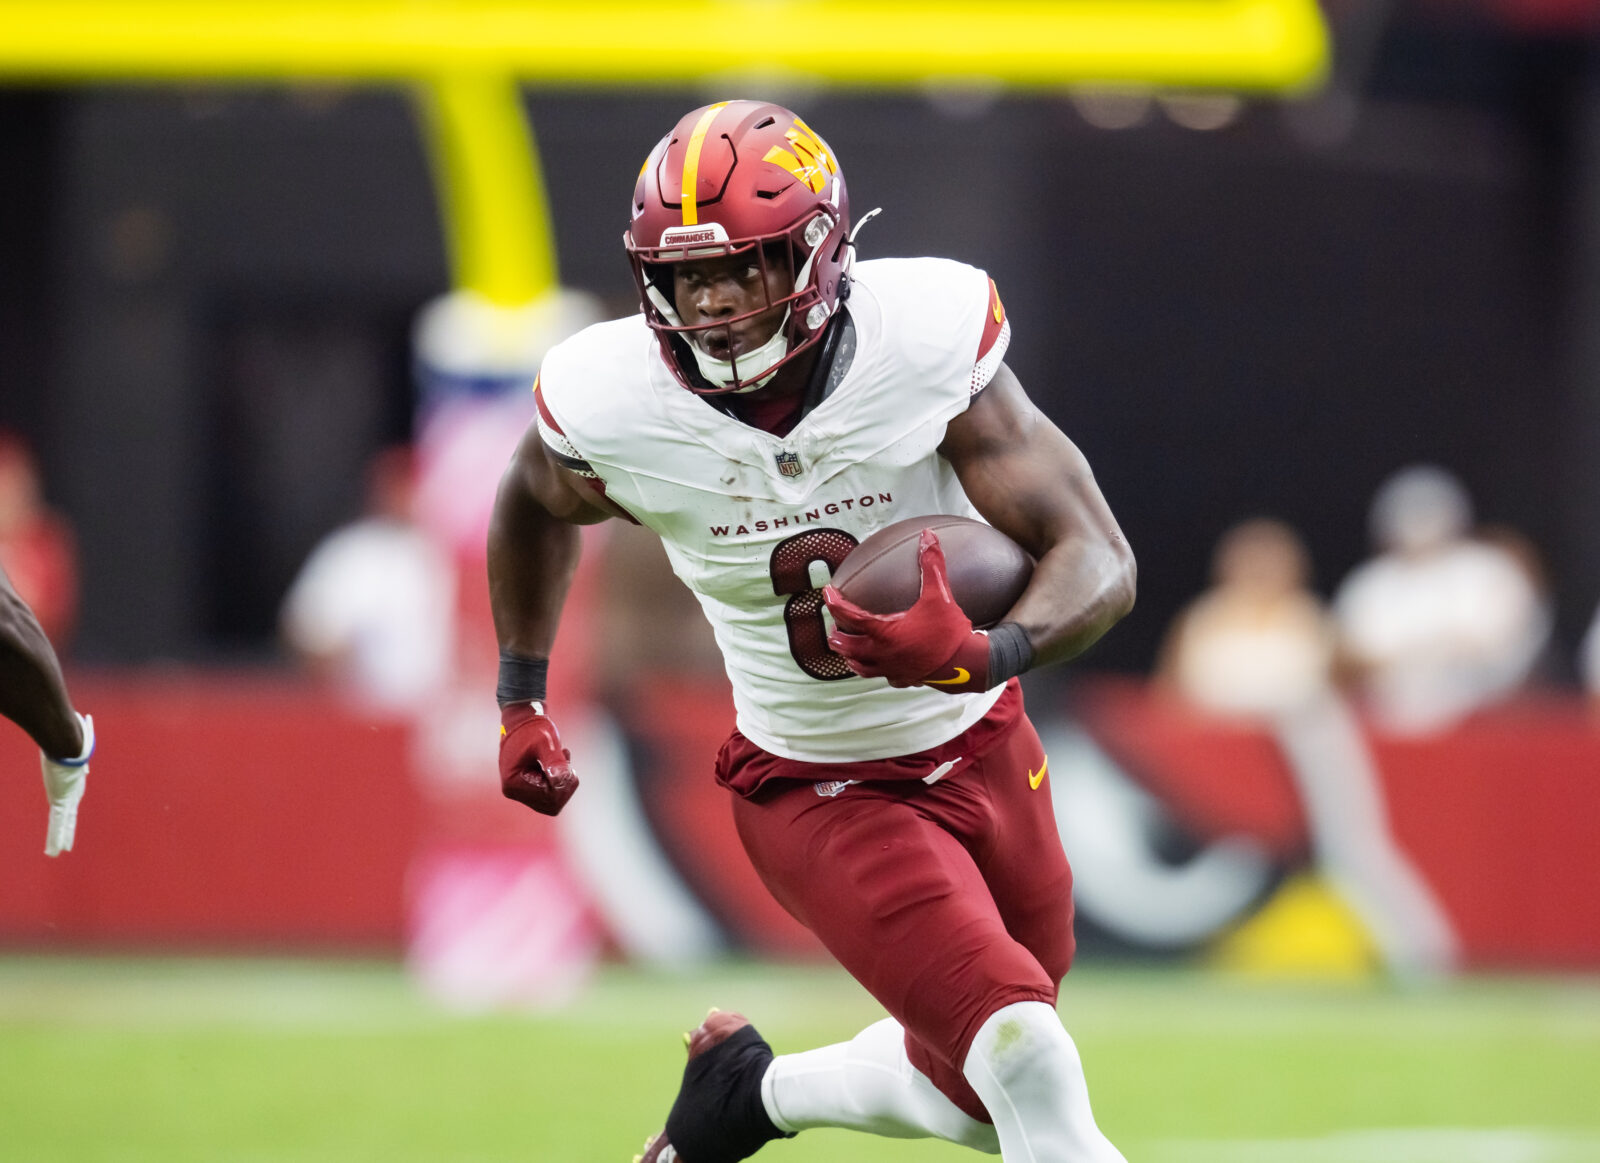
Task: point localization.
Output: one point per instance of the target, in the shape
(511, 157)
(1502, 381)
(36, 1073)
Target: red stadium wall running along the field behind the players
(230, 812)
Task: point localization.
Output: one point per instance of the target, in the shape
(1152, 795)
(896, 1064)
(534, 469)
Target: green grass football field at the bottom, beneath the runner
(263, 1060)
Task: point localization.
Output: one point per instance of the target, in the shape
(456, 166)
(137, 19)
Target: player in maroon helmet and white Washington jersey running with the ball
(774, 404)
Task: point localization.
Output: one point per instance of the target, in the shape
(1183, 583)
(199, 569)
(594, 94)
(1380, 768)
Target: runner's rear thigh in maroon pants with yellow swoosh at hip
(1025, 868)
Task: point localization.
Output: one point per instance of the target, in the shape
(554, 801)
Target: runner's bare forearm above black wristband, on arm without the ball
(530, 566)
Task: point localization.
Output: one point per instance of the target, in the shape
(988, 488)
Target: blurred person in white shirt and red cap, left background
(374, 607)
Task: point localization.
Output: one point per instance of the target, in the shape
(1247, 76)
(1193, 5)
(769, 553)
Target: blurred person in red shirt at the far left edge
(36, 545)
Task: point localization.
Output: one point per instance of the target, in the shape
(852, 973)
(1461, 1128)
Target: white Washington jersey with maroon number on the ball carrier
(754, 524)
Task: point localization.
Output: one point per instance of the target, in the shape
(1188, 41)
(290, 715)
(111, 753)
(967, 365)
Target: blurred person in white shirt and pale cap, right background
(1439, 623)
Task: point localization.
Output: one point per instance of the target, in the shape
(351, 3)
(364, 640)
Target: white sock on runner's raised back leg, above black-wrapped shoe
(868, 1085)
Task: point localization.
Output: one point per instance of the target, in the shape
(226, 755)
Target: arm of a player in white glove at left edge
(34, 697)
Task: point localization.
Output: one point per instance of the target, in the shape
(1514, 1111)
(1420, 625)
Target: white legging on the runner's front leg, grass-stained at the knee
(1028, 1073)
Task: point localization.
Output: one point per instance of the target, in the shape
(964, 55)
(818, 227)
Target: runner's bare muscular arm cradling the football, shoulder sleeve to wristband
(1033, 484)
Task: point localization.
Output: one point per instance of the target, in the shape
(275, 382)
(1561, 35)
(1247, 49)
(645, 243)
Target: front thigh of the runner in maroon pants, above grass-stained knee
(900, 903)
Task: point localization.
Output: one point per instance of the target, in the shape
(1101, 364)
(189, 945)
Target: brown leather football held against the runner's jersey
(988, 570)
